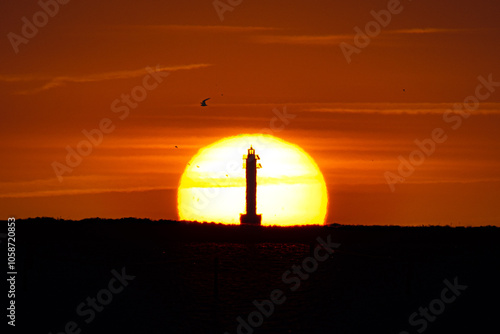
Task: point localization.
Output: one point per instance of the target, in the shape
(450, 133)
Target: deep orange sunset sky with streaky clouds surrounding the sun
(353, 115)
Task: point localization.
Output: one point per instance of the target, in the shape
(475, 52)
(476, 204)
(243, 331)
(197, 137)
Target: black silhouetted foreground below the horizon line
(138, 276)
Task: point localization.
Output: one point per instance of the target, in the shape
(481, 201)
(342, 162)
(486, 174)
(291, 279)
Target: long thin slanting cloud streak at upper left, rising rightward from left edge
(53, 82)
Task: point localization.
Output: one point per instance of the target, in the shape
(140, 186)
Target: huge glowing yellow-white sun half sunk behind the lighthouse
(291, 189)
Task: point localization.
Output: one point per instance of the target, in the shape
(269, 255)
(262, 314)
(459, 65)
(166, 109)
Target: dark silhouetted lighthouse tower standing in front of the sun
(251, 165)
